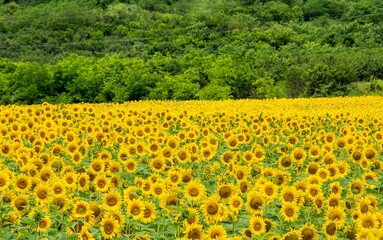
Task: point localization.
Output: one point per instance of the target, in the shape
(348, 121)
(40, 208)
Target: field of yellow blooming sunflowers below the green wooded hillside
(237, 169)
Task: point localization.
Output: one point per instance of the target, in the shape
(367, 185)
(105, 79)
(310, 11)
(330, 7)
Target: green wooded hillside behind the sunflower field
(68, 51)
